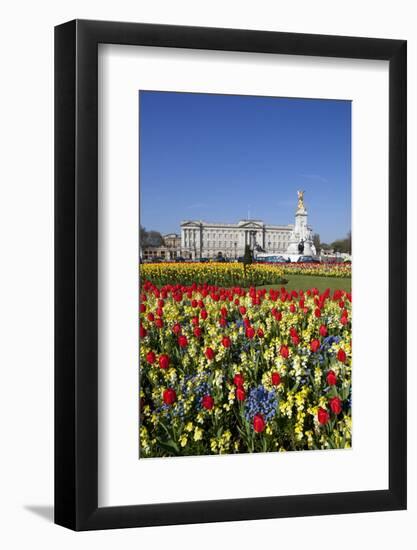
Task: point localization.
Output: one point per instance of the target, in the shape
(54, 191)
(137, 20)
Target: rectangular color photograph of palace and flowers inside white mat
(245, 274)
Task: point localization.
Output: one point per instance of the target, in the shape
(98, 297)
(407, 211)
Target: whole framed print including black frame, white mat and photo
(230, 234)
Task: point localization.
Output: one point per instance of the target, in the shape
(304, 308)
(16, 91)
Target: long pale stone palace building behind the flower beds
(202, 239)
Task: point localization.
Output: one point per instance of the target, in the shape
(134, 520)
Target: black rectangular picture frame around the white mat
(76, 272)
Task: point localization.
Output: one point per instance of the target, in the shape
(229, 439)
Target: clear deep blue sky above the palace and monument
(216, 157)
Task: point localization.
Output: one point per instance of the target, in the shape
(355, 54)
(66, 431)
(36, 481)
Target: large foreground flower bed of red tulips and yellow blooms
(225, 370)
